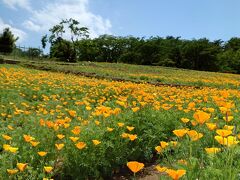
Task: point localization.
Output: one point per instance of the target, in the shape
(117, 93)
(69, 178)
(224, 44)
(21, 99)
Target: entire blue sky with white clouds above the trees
(214, 19)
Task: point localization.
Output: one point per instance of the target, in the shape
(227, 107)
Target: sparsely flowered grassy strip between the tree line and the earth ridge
(139, 73)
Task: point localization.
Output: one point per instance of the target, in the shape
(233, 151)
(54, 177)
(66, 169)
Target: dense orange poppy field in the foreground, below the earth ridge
(58, 126)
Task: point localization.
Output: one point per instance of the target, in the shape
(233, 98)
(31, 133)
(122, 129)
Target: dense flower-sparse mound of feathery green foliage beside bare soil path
(114, 151)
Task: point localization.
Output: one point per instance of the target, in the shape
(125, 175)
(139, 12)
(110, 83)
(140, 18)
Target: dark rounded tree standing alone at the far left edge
(7, 41)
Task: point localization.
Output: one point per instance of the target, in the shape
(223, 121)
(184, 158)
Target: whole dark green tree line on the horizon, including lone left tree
(71, 43)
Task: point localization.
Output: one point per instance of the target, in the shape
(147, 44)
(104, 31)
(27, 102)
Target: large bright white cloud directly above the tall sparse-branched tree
(55, 11)
